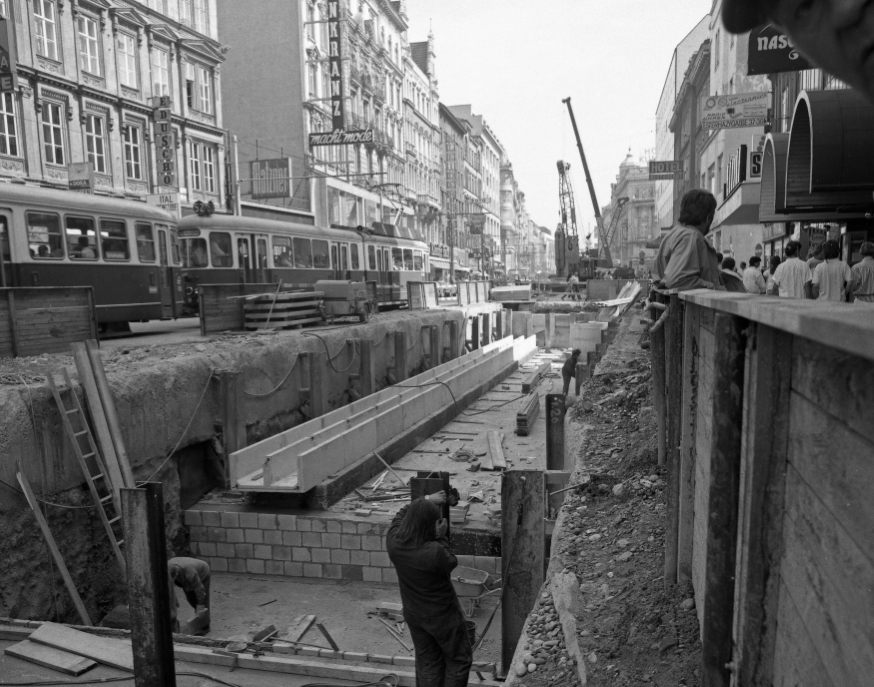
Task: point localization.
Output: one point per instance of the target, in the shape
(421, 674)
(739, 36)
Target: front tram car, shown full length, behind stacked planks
(220, 249)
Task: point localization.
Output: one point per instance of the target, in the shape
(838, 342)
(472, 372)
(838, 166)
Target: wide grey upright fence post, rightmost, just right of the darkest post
(760, 517)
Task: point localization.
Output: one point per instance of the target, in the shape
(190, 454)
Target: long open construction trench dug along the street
(278, 556)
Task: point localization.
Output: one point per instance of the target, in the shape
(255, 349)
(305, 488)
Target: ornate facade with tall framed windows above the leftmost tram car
(87, 75)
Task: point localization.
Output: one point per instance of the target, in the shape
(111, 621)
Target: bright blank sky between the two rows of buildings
(515, 60)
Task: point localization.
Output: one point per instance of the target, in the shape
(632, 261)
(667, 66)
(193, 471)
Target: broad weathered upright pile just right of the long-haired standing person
(523, 540)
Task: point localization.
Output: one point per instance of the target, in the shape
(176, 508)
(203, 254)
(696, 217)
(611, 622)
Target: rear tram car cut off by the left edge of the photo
(127, 251)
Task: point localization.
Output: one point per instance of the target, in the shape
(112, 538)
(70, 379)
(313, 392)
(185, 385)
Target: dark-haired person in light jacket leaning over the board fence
(685, 259)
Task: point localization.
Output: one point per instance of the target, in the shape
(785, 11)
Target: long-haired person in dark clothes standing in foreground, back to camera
(420, 552)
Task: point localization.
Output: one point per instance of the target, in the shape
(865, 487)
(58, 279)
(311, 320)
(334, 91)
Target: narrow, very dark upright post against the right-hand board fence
(723, 487)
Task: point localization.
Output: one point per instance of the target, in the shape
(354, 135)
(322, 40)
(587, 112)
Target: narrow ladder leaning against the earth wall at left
(105, 494)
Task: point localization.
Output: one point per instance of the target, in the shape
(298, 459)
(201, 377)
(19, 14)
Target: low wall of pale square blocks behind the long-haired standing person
(299, 546)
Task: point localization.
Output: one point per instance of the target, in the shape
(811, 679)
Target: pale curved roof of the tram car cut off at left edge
(84, 202)
